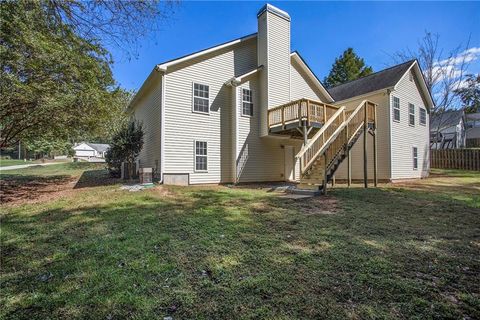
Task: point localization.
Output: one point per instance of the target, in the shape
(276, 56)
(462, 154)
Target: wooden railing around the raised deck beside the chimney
(300, 110)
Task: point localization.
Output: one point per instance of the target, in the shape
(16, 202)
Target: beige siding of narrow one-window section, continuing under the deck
(258, 159)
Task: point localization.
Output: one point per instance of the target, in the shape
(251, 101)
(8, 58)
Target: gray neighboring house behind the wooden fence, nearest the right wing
(447, 130)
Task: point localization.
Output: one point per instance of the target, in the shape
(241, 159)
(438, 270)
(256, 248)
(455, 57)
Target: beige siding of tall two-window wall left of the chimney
(183, 127)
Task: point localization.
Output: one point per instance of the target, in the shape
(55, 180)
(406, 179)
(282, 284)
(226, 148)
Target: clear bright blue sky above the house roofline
(321, 31)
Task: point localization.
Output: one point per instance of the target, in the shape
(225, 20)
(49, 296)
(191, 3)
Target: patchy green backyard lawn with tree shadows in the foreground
(94, 251)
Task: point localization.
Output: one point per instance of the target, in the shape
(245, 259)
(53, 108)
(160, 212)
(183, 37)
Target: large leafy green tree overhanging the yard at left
(55, 71)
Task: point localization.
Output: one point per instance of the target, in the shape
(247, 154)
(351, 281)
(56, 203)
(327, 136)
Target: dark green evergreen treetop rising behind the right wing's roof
(349, 66)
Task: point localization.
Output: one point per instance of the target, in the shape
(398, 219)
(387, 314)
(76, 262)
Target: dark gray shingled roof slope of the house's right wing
(373, 82)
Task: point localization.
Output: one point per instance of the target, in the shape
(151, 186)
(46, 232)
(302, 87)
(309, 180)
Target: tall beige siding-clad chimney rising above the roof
(273, 52)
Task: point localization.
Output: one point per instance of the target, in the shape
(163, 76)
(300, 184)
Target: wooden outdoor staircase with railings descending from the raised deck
(323, 153)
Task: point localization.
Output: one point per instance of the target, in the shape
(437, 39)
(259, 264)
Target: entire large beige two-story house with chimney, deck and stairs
(251, 110)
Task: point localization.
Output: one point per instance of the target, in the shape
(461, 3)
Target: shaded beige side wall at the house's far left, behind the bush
(148, 111)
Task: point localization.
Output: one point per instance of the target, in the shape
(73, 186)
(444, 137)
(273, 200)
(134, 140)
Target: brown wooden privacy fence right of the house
(465, 159)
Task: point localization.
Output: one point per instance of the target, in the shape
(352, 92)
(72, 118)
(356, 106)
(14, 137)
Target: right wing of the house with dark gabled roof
(404, 102)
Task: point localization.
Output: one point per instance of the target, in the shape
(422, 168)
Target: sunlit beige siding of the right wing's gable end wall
(405, 137)
